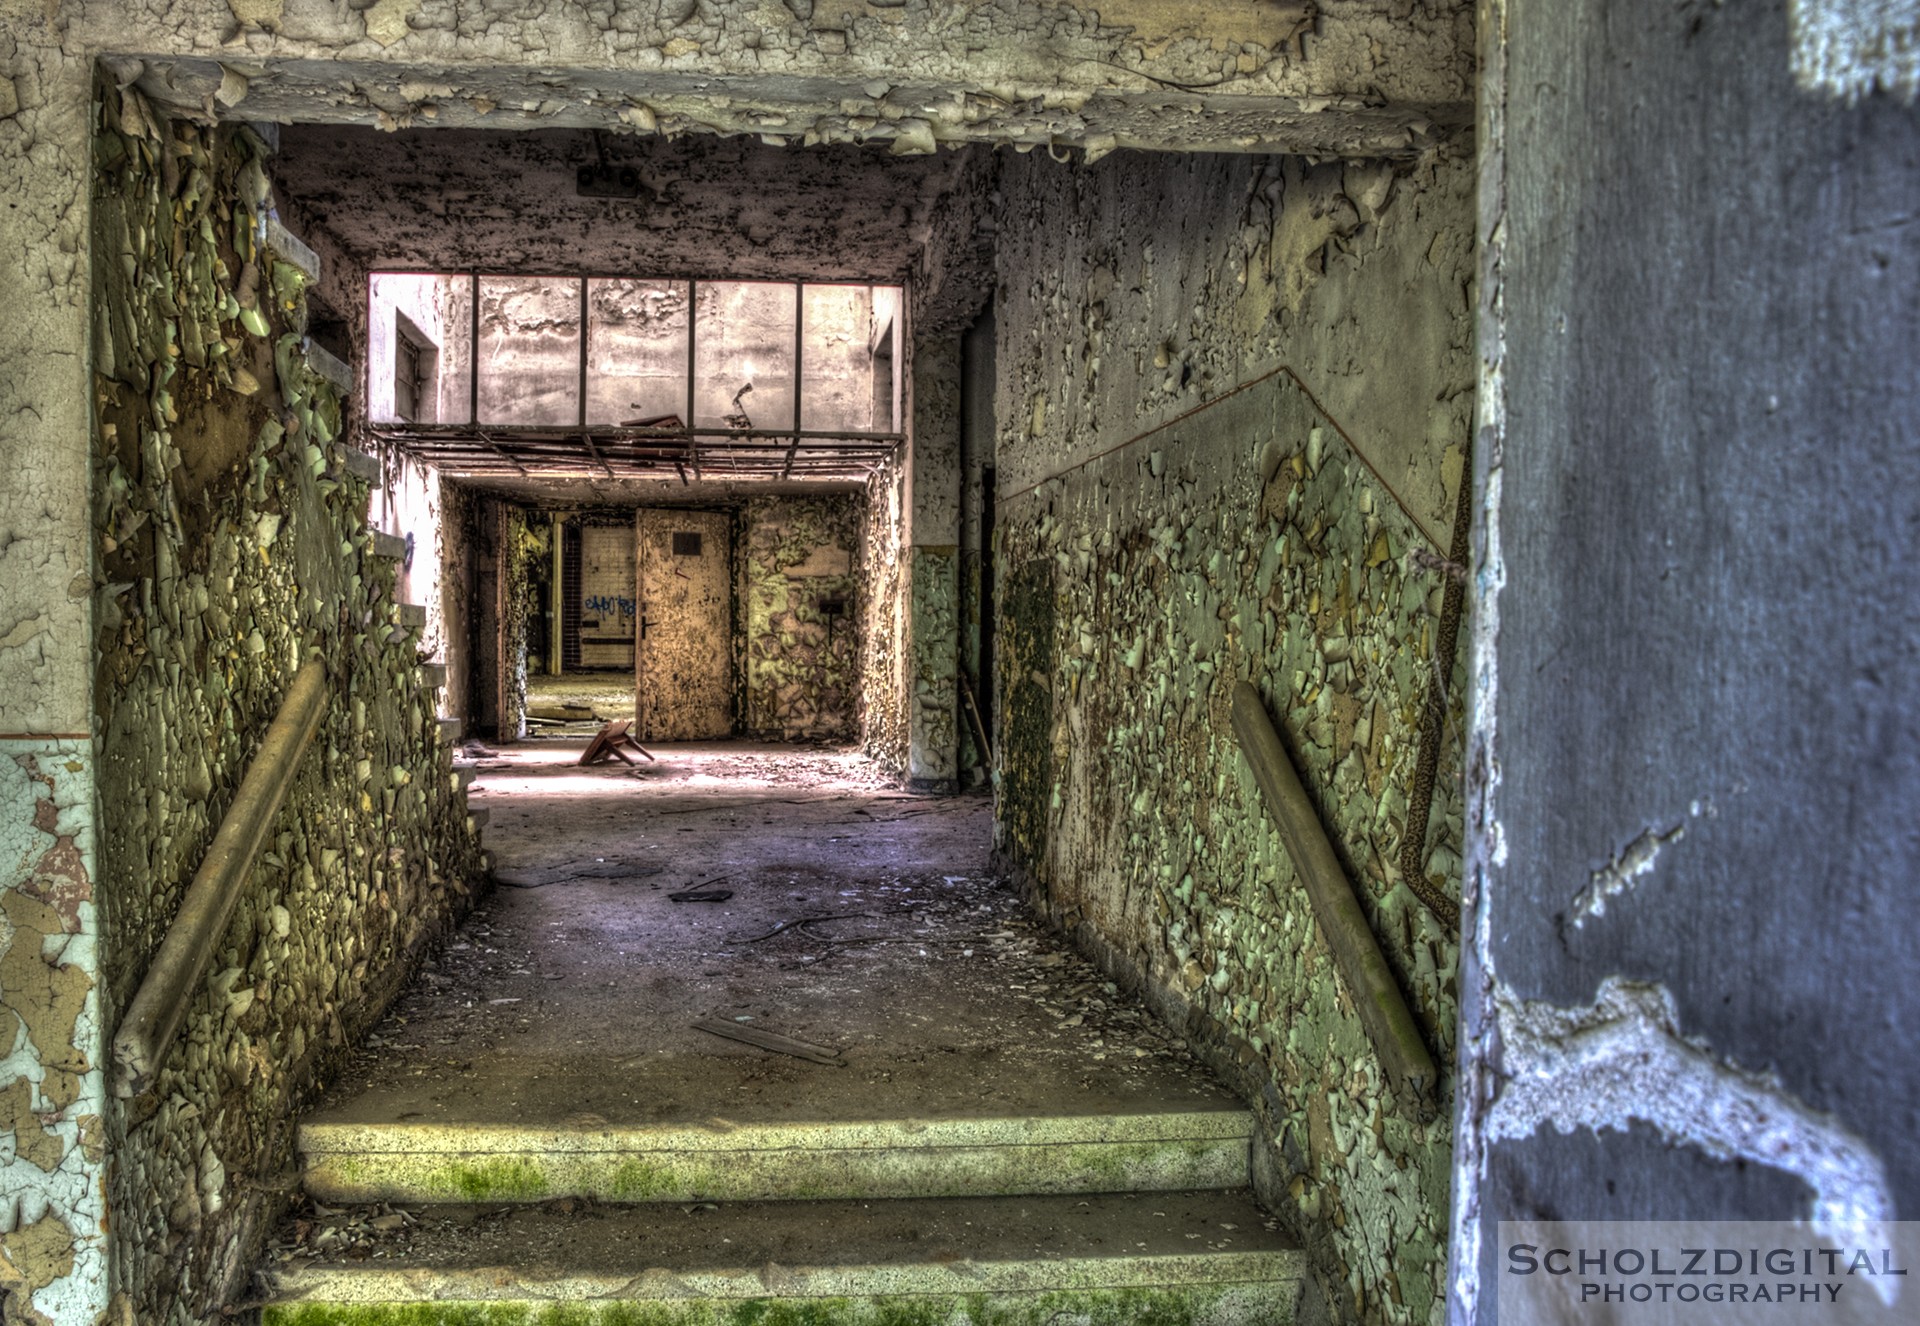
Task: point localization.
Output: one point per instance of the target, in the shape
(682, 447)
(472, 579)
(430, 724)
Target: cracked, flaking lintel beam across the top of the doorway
(1274, 76)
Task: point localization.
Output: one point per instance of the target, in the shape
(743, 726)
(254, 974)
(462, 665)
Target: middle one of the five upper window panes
(636, 350)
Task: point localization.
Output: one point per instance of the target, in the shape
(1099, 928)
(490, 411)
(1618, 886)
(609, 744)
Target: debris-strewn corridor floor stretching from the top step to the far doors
(861, 920)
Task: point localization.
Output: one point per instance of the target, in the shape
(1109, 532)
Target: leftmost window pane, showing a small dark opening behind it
(435, 316)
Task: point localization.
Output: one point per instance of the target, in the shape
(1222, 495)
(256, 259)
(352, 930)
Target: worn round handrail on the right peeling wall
(1356, 953)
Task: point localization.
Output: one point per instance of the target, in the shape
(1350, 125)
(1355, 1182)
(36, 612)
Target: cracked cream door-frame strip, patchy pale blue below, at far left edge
(53, 1049)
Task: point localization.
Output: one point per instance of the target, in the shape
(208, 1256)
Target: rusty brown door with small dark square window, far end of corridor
(684, 667)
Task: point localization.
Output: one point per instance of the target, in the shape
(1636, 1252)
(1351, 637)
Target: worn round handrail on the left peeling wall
(181, 964)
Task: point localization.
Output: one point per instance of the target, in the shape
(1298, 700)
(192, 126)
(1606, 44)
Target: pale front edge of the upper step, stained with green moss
(765, 1162)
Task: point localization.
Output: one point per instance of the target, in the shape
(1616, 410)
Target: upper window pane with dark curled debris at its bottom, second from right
(744, 354)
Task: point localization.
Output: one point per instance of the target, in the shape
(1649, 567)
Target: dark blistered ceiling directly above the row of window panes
(458, 199)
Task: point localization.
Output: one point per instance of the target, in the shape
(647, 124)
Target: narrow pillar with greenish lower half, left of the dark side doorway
(934, 567)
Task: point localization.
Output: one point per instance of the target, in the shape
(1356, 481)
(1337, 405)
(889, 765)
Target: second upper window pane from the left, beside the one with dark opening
(529, 350)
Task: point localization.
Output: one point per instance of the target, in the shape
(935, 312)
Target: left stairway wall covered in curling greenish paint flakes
(233, 544)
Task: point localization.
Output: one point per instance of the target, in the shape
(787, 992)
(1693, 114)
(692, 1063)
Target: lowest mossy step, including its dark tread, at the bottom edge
(1161, 1260)
